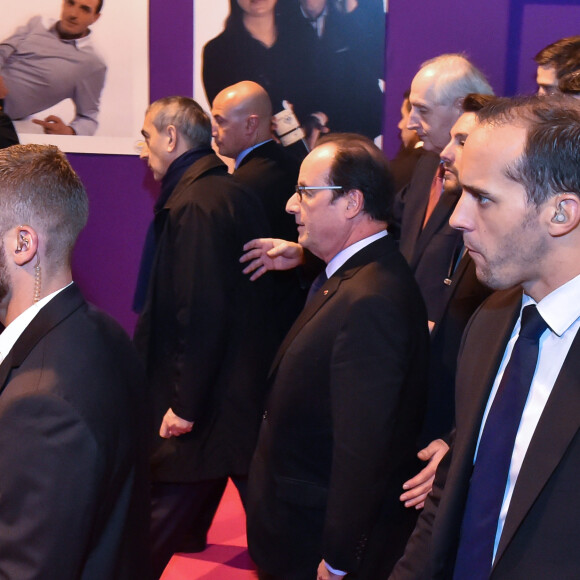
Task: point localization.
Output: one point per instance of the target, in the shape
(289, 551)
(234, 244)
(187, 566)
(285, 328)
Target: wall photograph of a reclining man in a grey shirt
(98, 84)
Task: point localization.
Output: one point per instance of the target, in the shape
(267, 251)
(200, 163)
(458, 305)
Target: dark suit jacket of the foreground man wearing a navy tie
(540, 538)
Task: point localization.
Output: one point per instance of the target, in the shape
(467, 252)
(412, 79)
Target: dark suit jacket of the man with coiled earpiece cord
(74, 418)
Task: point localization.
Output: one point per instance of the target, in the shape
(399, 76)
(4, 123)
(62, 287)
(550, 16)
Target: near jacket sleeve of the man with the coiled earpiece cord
(48, 489)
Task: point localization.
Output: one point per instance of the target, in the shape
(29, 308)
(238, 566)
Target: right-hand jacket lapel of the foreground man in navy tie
(558, 425)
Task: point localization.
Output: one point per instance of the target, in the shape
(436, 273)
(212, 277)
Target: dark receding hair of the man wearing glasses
(360, 164)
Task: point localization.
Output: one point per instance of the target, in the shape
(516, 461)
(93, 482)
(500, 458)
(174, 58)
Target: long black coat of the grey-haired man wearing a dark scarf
(206, 332)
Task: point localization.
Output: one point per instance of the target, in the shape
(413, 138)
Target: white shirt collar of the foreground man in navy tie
(558, 317)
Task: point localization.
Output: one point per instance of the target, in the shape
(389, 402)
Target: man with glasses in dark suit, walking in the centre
(338, 436)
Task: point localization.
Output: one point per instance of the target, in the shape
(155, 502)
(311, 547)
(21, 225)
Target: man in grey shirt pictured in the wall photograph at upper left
(43, 63)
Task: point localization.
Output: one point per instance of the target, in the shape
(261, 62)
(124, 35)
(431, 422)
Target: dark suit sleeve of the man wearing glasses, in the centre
(369, 369)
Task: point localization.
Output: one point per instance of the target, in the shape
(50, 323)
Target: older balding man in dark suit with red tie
(423, 208)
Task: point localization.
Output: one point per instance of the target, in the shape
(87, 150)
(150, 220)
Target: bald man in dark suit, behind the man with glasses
(242, 130)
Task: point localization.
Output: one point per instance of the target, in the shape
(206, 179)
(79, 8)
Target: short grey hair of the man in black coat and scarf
(186, 115)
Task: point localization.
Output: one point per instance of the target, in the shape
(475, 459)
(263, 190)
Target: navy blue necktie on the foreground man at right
(491, 469)
